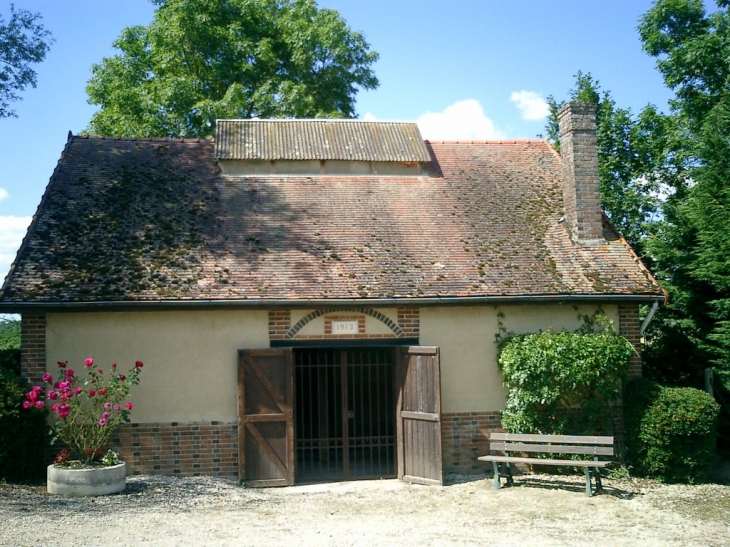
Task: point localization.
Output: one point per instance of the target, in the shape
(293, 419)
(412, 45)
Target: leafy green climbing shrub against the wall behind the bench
(563, 383)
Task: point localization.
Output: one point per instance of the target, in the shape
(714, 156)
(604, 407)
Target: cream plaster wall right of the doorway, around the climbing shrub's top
(470, 378)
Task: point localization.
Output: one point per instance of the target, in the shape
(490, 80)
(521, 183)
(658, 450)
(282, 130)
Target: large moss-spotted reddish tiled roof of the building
(143, 220)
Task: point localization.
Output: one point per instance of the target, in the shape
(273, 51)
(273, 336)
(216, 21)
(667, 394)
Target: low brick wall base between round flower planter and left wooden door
(179, 449)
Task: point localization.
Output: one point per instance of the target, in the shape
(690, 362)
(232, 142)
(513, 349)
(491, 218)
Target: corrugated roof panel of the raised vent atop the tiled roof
(349, 140)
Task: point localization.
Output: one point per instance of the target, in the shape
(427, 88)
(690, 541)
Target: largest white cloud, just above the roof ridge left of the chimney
(463, 120)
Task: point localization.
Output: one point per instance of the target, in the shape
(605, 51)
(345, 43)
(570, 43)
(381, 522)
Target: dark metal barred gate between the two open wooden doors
(345, 413)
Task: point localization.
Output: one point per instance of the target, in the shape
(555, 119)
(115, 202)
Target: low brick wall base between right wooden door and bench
(464, 439)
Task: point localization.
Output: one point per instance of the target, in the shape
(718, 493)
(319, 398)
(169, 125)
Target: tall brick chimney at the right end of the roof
(579, 155)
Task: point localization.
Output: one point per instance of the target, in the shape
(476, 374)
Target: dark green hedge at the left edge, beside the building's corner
(21, 433)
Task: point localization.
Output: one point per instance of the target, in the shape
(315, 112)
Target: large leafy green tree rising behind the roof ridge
(206, 60)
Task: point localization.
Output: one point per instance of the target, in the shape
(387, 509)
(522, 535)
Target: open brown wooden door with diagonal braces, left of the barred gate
(266, 431)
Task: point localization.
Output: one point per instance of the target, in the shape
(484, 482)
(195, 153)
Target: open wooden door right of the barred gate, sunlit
(419, 415)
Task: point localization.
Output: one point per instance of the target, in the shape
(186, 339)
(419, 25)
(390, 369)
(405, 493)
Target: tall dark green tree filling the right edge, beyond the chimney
(692, 248)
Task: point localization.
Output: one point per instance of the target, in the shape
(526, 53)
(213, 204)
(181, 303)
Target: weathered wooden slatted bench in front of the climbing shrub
(510, 443)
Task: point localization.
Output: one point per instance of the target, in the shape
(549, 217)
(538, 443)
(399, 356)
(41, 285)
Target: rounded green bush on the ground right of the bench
(670, 432)
